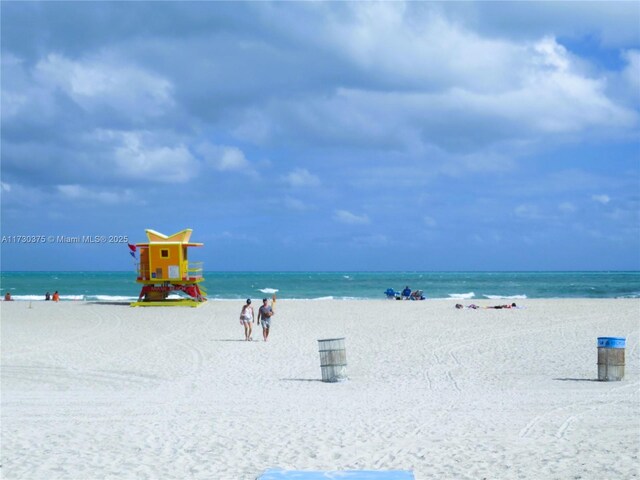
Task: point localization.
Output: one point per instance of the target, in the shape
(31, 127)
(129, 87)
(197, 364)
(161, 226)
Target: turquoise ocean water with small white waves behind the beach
(121, 286)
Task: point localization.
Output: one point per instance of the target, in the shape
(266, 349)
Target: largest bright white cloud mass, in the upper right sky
(441, 90)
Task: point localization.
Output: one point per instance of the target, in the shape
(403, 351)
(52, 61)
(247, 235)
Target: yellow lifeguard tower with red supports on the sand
(164, 268)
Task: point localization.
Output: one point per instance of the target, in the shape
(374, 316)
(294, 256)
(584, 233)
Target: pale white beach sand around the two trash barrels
(92, 391)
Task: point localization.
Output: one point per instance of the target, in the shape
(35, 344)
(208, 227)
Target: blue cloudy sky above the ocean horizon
(328, 136)
